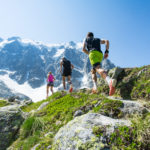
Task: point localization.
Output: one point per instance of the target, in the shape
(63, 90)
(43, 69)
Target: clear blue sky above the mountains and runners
(125, 23)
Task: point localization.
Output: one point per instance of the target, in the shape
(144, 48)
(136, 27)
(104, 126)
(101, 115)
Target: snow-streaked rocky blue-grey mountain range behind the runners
(26, 62)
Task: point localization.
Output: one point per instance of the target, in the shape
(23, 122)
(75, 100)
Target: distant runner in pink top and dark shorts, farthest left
(50, 83)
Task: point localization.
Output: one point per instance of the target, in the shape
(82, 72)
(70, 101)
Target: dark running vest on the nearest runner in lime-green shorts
(93, 44)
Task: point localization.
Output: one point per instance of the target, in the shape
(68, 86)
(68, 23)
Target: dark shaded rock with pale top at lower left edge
(10, 121)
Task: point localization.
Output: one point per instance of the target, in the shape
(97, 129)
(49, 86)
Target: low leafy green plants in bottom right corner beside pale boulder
(136, 137)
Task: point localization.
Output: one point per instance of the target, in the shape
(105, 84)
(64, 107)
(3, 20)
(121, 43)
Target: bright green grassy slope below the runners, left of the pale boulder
(57, 113)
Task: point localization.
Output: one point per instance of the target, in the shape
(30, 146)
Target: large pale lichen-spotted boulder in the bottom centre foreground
(79, 132)
